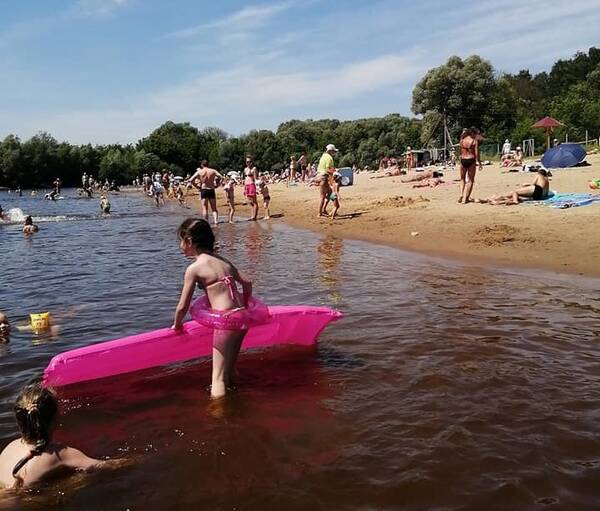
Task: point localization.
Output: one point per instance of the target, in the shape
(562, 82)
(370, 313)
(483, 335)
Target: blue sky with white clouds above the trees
(111, 71)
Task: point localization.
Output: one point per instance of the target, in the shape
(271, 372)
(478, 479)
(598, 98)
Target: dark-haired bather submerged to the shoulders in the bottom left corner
(34, 457)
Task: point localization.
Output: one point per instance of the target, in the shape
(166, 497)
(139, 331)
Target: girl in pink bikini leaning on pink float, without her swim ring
(218, 277)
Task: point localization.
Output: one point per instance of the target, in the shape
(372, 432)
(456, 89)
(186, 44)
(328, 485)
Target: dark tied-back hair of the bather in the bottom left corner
(35, 411)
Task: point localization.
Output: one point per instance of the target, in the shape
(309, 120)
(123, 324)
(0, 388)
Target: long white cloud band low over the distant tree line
(237, 100)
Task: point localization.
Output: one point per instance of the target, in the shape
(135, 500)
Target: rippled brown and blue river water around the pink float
(446, 386)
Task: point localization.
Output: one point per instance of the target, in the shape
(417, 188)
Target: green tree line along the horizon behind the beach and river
(462, 92)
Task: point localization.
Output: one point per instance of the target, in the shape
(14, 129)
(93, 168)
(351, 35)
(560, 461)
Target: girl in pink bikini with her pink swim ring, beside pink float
(226, 310)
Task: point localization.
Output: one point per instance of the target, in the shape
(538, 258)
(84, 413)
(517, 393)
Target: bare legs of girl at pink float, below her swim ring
(226, 347)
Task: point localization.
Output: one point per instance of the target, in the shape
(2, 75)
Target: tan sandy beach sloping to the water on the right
(430, 220)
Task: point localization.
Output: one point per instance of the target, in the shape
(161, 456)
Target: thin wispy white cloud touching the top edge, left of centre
(244, 20)
